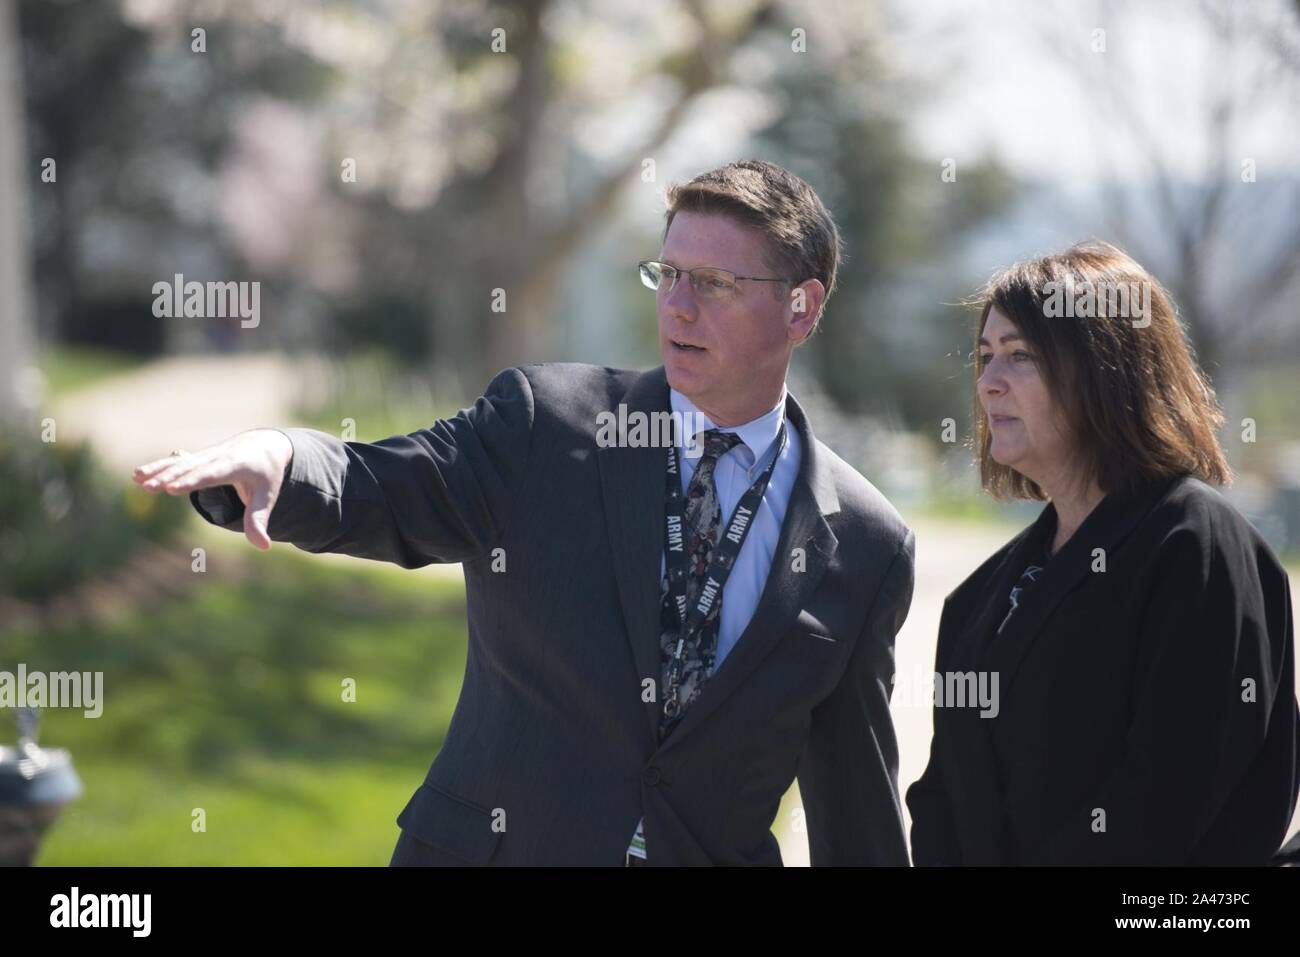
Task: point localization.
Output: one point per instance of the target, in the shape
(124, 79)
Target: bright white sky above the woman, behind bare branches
(1022, 79)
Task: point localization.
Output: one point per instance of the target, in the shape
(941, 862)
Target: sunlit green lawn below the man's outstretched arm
(231, 700)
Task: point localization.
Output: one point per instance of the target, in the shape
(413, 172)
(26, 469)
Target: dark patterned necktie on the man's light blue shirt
(703, 517)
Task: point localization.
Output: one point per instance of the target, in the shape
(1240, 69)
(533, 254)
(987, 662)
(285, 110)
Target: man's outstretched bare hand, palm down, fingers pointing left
(253, 462)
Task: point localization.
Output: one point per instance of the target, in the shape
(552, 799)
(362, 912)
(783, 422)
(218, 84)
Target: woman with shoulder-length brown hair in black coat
(1138, 638)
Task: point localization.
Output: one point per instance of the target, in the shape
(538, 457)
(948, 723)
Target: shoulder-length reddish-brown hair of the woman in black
(1125, 375)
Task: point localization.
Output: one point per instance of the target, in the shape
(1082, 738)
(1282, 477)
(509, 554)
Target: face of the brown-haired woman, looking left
(1026, 428)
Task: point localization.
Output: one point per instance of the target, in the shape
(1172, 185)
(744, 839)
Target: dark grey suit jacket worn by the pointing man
(552, 733)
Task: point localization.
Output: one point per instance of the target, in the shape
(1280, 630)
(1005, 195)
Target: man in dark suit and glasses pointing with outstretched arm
(645, 675)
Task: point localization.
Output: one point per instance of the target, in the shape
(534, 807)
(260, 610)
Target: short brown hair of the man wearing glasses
(803, 240)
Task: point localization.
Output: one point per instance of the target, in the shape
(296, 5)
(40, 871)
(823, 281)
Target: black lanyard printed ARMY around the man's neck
(721, 562)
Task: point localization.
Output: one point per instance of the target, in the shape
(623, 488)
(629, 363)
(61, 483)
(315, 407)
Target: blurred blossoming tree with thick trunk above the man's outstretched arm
(475, 183)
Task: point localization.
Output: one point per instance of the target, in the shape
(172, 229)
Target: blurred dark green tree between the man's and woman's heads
(843, 128)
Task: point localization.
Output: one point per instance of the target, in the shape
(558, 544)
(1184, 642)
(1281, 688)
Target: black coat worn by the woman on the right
(1126, 691)
